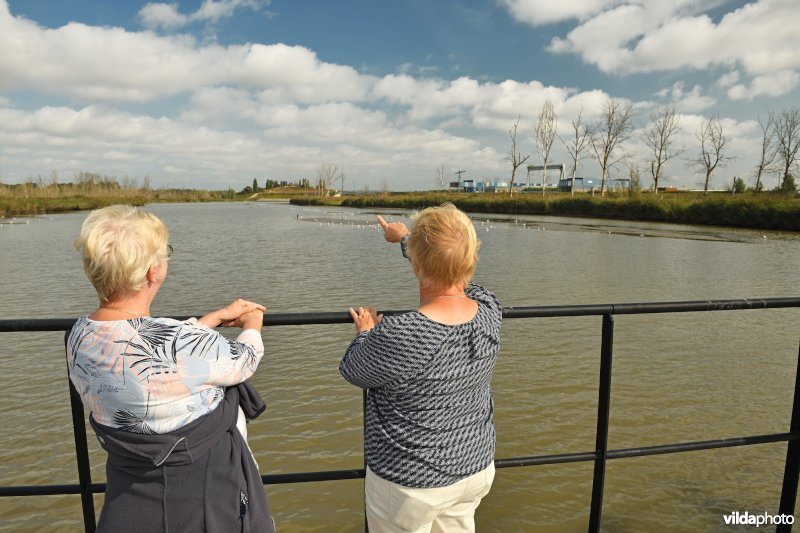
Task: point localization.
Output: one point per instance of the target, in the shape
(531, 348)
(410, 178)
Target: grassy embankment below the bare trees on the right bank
(744, 210)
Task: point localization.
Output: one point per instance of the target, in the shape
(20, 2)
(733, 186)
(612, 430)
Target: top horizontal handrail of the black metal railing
(336, 317)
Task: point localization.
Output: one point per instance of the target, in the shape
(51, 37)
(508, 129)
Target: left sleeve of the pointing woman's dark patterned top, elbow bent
(386, 354)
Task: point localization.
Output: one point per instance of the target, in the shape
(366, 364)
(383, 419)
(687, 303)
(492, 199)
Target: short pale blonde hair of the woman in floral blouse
(119, 244)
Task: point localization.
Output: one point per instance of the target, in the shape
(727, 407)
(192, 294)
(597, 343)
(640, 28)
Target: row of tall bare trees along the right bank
(605, 137)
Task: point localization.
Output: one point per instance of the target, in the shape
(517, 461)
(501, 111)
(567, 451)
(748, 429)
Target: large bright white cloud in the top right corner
(652, 35)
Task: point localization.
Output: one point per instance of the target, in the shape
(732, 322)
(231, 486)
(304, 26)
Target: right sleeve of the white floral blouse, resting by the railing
(228, 362)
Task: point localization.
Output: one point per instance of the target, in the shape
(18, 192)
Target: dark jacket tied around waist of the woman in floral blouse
(200, 477)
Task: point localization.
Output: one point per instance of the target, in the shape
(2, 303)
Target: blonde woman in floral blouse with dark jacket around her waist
(167, 398)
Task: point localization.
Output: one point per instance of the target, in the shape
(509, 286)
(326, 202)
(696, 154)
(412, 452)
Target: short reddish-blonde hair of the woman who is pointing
(443, 246)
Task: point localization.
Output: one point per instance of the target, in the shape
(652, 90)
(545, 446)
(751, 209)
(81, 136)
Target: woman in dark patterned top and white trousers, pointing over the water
(430, 437)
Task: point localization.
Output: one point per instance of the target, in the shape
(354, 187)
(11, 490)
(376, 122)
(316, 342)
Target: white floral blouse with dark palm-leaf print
(154, 375)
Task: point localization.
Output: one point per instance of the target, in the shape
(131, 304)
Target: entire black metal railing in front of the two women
(600, 455)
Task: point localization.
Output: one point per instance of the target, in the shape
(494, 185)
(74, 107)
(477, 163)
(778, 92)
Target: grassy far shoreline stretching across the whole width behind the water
(763, 211)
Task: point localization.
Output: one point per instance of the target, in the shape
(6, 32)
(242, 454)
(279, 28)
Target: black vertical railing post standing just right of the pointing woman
(603, 410)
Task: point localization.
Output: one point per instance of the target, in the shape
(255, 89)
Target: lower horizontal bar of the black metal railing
(359, 473)
